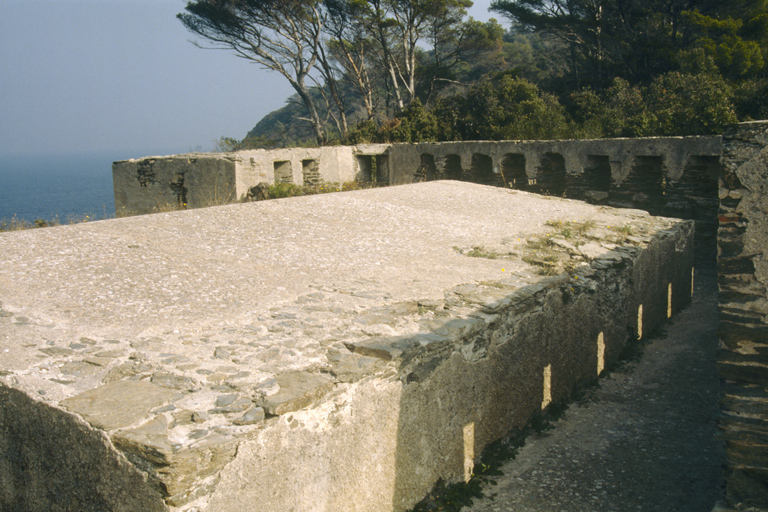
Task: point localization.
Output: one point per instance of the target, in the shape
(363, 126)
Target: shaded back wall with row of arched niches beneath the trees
(670, 176)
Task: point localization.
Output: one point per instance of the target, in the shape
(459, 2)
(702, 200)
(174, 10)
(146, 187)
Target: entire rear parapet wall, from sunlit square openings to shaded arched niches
(670, 176)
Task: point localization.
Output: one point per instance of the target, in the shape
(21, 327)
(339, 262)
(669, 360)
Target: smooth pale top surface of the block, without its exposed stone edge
(161, 283)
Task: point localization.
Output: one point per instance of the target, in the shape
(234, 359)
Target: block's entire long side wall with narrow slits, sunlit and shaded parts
(386, 441)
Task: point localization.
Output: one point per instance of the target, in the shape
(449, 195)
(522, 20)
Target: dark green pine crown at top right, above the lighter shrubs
(631, 39)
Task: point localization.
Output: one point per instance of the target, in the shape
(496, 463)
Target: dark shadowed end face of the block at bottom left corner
(36, 476)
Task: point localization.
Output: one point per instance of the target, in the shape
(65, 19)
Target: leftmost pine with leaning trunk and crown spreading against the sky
(281, 35)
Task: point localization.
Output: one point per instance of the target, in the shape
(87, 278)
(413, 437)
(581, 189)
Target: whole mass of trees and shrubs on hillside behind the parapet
(397, 71)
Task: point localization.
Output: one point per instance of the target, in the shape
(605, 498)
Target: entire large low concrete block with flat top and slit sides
(325, 353)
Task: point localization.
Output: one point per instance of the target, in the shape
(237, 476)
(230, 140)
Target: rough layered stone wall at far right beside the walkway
(743, 332)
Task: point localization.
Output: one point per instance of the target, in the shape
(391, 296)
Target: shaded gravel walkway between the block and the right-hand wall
(643, 440)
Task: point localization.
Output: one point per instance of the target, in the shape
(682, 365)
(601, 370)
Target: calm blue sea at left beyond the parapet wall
(50, 186)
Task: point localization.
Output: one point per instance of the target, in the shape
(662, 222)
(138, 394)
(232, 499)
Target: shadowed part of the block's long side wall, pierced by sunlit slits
(552, 340)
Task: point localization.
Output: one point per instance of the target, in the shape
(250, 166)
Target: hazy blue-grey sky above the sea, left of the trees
(122, 76)
